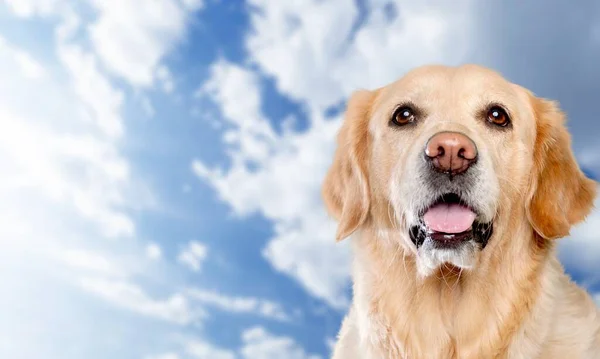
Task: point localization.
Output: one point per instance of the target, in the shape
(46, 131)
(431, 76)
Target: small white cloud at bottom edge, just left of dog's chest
(260, 344)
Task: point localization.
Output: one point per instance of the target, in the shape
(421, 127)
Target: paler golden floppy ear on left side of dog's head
(345, 190)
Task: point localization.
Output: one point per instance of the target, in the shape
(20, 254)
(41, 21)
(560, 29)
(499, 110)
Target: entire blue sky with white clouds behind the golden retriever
(162, 164)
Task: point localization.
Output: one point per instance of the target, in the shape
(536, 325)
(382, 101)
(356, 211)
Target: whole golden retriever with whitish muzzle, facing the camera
(455, 185)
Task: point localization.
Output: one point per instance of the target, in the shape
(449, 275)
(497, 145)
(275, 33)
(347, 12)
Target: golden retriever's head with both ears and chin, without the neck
(445, 156)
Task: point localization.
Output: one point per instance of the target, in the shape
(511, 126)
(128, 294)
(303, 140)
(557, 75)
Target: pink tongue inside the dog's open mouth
(449, 218)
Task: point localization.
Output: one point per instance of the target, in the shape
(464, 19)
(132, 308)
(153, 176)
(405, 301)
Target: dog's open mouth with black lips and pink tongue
(450, 221)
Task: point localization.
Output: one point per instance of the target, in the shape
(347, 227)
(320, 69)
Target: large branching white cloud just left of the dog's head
(284, 187)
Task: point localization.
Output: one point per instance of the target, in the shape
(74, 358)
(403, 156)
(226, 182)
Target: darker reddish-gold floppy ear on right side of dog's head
(560, 194)
